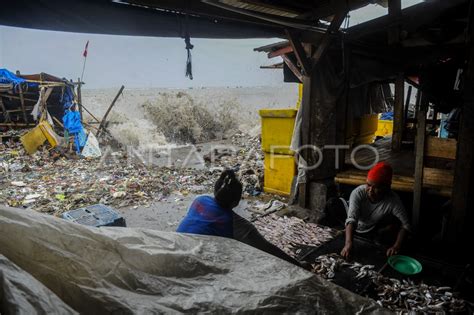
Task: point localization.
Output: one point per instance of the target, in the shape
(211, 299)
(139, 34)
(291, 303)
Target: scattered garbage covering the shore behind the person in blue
(61, 180)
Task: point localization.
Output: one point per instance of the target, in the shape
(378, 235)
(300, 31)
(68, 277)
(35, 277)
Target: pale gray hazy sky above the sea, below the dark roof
(146, 61)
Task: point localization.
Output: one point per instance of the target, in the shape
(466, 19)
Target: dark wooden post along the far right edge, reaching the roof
(463, 187)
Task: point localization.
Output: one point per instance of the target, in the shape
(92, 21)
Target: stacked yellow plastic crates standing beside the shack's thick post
(280, 164)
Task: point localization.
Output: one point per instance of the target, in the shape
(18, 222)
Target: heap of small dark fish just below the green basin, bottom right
(406, 295)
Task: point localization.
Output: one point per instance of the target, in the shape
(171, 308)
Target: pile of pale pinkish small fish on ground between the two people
(289, 232)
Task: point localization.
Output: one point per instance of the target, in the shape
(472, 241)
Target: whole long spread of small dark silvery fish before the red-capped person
(391, 293)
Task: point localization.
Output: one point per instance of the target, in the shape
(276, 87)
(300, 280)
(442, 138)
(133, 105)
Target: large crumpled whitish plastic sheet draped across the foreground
(125, 271)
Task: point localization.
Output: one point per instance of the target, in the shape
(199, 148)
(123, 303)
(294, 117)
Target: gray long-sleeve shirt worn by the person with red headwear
(364, 214)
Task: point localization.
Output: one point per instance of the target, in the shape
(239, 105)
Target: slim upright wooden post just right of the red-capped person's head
(419, 158)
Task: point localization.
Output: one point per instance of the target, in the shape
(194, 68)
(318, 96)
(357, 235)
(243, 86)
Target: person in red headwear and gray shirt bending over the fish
(376, 211)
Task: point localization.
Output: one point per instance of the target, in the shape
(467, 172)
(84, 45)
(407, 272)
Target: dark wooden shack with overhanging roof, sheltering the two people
(428, 45)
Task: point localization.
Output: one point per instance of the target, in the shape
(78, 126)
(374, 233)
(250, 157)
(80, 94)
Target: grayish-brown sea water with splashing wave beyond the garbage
(145, 118)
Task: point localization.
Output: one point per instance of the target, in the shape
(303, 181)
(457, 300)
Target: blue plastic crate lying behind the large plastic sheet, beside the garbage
(95, 215)
